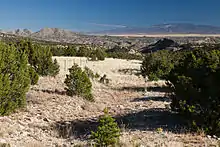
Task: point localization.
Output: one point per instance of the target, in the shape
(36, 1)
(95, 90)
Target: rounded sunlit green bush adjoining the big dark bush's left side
(157, 65)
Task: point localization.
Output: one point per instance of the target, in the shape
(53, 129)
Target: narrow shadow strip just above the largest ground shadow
(162, 99)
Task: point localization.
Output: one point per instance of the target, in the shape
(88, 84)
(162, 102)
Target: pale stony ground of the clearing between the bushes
(54, 119)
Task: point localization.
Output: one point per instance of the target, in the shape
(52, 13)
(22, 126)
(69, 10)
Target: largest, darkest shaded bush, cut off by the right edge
(195, 83)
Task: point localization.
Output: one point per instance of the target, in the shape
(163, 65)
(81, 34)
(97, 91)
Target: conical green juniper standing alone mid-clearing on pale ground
(78, 83)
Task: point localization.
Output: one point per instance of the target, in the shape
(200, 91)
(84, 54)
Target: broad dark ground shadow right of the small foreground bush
(152, 119)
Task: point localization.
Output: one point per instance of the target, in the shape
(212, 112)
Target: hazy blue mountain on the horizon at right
(172, 28)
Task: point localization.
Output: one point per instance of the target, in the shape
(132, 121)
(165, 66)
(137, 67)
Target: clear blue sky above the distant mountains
(96, 15)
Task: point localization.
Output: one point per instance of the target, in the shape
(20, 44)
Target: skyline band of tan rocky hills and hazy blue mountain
(172, 28)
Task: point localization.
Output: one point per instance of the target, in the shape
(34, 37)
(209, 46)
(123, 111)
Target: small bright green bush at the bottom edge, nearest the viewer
(107, 133)
